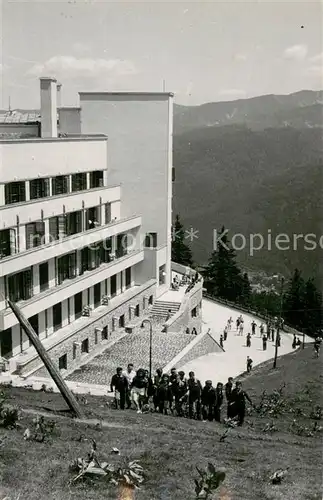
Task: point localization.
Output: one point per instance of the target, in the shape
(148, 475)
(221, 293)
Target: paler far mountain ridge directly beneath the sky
(302, 109)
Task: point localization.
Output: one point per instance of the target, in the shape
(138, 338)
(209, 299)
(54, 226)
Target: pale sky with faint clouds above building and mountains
(203, 52)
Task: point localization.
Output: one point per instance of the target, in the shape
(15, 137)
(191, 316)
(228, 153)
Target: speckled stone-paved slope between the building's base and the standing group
(132, 349)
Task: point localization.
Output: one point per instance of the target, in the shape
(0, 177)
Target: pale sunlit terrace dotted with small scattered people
(231, 363)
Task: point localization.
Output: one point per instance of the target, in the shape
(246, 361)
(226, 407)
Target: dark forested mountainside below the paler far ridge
(252, 181)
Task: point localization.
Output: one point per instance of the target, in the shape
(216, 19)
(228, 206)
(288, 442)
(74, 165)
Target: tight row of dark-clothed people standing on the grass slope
(177, 395)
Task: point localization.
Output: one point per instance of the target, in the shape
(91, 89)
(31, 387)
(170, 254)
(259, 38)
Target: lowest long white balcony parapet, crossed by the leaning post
(54, 295)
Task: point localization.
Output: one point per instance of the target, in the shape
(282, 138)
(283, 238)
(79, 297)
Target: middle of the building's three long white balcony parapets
(36, 255)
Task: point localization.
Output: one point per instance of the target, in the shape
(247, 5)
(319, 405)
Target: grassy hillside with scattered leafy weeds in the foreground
(170, 448)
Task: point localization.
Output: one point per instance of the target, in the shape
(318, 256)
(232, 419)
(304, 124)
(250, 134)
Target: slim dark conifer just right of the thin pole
(294, 301)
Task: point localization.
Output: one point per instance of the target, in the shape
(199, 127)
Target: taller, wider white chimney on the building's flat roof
(48, 106)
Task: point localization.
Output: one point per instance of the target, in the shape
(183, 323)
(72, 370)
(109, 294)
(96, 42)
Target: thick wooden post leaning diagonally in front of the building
(53, 371)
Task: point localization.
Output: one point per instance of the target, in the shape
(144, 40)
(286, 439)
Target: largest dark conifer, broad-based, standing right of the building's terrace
(223, 277)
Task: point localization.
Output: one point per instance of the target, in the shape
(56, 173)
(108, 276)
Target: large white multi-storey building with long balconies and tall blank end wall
(85, 222)
